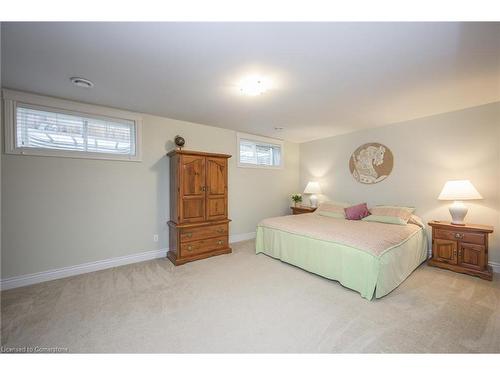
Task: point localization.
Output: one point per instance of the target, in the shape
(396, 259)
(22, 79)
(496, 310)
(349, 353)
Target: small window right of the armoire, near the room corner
(259, 152)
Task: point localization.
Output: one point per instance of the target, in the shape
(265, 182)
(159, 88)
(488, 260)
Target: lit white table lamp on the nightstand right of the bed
(458, 191)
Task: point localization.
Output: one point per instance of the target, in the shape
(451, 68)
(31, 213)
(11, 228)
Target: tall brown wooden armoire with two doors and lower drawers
(198, 226)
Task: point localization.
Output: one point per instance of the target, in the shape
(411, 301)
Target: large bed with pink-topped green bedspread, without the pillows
(371, 258)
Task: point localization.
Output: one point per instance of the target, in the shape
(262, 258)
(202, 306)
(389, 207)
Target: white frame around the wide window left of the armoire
(11, 100)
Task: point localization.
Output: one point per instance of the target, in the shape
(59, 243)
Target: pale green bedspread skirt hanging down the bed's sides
(356, 269)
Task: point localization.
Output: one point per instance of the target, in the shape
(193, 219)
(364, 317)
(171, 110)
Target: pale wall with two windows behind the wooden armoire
(60, 212)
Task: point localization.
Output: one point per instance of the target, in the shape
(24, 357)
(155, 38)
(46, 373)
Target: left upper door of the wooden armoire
(192, 189)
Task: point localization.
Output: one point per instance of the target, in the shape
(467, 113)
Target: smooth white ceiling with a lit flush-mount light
(329, 78)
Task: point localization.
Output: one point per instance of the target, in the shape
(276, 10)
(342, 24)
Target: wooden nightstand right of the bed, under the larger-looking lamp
(461, 248)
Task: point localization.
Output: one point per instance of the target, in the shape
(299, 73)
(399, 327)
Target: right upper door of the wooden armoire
(216, 188)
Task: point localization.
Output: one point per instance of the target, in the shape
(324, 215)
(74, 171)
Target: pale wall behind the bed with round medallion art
(457, 145)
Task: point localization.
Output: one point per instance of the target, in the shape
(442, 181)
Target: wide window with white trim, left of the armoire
(42, 126)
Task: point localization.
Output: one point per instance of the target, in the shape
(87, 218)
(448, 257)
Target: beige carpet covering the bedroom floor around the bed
(250, 303)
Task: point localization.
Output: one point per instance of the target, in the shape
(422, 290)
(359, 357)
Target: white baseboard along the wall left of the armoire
(39, 277)
